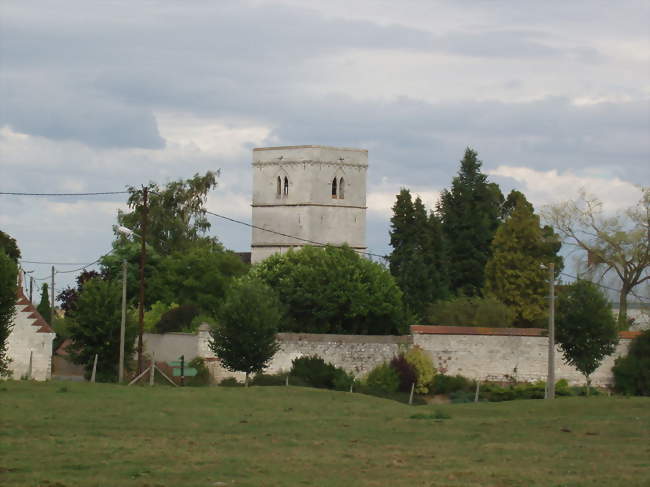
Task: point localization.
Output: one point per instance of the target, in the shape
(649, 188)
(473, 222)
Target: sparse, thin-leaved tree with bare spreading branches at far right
(620, 243)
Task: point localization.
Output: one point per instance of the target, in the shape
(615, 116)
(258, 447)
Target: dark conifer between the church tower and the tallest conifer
(418, 258)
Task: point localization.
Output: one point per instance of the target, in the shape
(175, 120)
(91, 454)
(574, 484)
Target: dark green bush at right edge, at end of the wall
(632, 372)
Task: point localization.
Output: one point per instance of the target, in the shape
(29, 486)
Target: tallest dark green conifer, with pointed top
(470, 214)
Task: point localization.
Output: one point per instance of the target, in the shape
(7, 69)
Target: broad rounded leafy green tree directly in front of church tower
(334, 290)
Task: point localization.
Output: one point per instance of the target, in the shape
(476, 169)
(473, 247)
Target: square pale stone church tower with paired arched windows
(312, 192)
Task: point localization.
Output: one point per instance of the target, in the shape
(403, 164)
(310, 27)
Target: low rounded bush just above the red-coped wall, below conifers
(472, 311)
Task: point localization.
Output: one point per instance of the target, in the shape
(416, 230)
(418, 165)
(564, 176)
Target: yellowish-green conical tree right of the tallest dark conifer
(513, 272)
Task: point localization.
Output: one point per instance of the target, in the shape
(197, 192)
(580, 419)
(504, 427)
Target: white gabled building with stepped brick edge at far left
(29, 344)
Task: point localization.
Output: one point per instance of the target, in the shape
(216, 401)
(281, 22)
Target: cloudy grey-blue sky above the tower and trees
(97, 95)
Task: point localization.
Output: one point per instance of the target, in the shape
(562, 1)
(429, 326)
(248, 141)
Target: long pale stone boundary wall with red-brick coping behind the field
(498, 354)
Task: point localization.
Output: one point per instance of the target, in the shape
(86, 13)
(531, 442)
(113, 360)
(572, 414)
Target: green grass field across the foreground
(72, 434)
